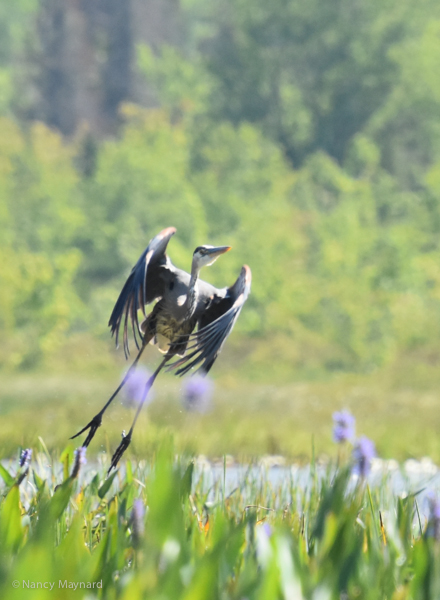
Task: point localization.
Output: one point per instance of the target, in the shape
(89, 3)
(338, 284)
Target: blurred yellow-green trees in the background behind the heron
(308, 138)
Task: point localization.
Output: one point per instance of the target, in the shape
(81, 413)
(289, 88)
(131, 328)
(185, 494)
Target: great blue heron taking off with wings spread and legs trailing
(183, 302)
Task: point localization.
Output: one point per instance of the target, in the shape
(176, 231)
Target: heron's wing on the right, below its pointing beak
(214, 326)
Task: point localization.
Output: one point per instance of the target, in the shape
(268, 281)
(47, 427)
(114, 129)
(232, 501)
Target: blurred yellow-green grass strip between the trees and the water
(247, 419)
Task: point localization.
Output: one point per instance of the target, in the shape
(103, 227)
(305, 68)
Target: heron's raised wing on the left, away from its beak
(145, 283)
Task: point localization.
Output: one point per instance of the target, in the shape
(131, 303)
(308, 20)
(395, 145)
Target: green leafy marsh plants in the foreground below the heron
(160, 530)
